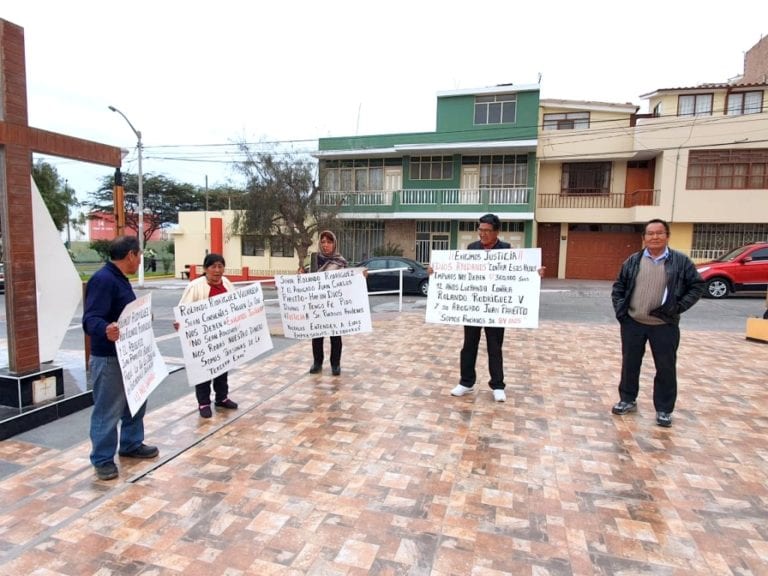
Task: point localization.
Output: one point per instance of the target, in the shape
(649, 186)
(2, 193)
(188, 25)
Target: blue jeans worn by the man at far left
(110, 406)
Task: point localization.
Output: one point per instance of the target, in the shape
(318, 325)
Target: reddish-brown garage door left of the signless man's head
(598, 255)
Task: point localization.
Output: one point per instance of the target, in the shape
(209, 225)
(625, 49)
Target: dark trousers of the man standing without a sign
(664, 340)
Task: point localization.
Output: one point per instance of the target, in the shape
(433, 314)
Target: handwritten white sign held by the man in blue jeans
(140, 362)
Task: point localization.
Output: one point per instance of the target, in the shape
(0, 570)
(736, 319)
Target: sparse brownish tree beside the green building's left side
(281, 200)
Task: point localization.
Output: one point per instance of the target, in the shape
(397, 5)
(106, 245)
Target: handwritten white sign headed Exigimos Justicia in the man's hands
(485, 288)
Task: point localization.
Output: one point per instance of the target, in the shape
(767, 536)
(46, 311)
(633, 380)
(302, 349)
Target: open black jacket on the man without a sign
(684, 287)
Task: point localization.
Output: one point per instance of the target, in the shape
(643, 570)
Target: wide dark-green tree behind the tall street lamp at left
(163, 200)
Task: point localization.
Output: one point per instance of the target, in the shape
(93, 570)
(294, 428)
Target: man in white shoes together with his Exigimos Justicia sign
(488, 291)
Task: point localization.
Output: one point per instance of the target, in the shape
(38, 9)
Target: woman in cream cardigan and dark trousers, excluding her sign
(212, 283)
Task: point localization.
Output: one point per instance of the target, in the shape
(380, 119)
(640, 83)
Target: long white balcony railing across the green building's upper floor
(429, 196)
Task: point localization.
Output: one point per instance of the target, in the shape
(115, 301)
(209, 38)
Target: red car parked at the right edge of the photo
(744, 268)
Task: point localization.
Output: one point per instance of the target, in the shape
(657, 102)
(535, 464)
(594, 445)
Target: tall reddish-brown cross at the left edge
(18, 141)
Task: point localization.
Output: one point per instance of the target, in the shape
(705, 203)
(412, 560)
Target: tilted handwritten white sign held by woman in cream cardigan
(223, 332)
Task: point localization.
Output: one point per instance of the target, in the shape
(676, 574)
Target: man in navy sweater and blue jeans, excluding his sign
(107, 294)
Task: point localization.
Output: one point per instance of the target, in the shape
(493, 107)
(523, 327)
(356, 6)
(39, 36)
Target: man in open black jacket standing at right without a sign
(653, 288)
